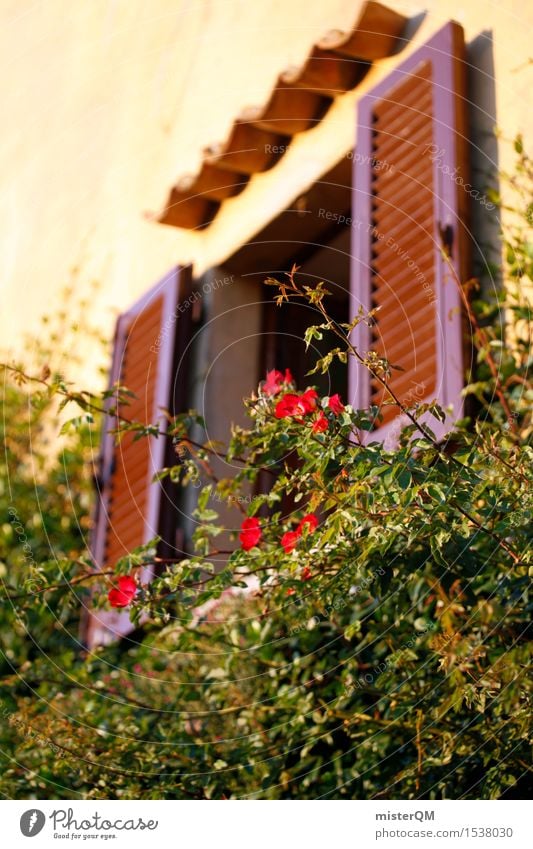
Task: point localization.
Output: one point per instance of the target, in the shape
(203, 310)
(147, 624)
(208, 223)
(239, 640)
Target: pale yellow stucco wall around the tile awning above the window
(107, 102)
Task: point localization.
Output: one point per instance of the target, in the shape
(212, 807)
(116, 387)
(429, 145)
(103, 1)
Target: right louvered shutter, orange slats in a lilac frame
(409, 195)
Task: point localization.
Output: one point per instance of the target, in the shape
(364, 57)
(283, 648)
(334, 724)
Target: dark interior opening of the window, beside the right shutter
(313, 233)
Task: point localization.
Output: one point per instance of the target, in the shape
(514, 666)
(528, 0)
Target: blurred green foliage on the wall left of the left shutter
(46, 490)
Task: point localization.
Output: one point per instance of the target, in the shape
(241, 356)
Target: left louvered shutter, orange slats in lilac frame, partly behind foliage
(130, 503)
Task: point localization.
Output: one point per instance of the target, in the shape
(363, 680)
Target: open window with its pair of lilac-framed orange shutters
(373, 229)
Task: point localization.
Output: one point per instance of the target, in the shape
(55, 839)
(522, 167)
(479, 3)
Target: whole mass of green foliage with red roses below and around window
(385, 656)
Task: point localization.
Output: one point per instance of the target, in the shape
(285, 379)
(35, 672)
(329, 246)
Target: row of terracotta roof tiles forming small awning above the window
(300, 99)
